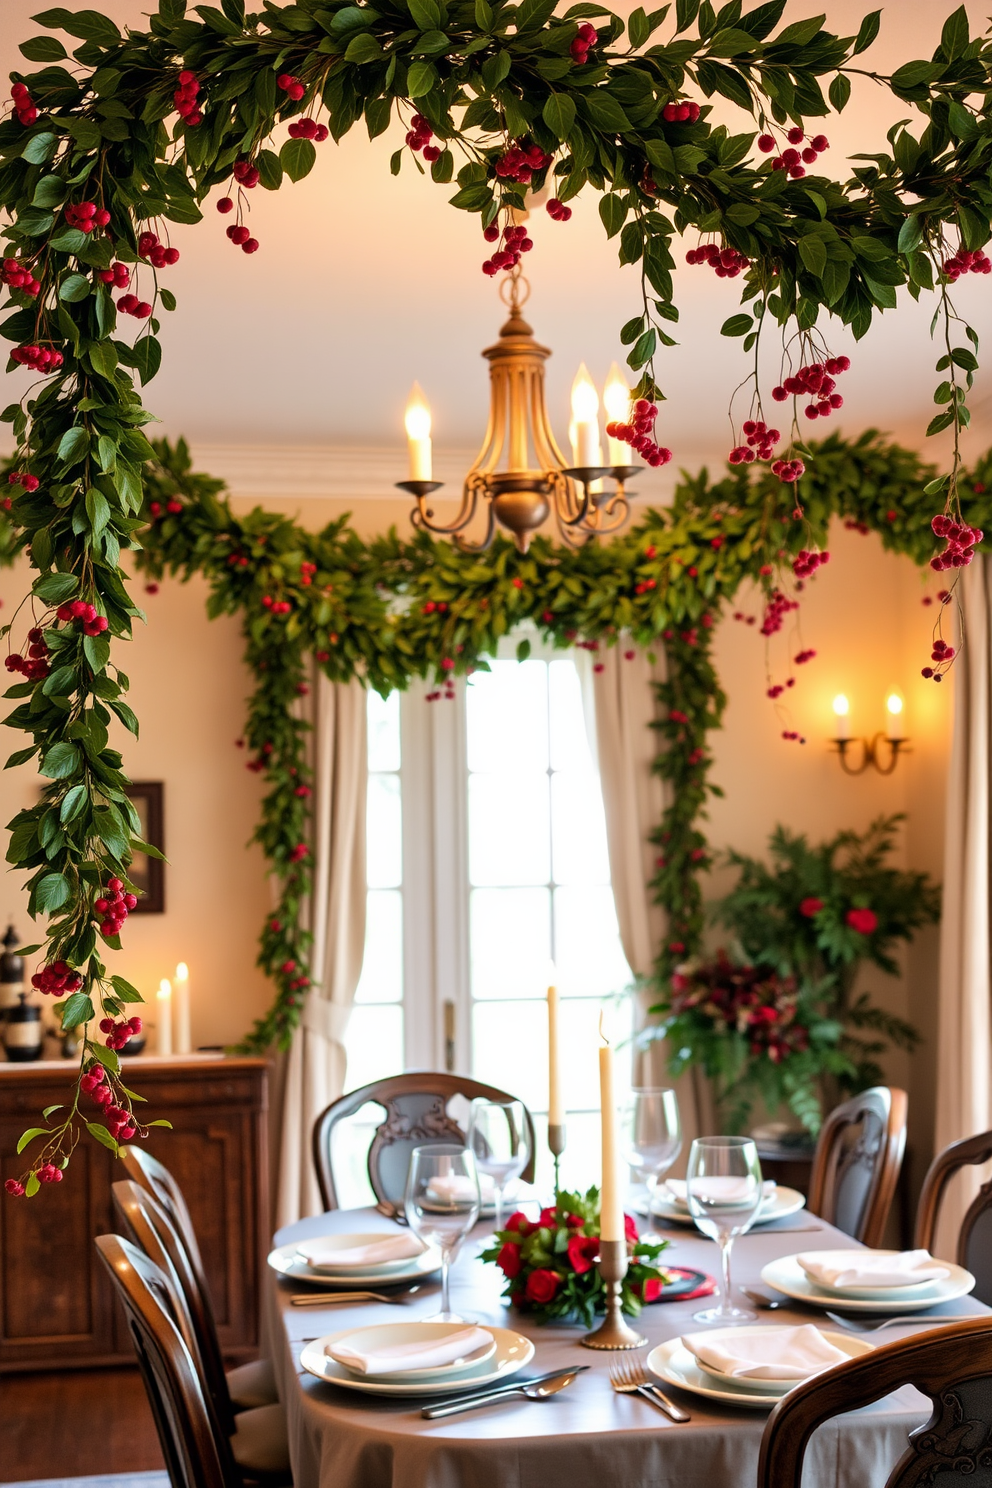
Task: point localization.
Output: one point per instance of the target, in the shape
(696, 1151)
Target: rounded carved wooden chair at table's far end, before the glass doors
(416, 1117)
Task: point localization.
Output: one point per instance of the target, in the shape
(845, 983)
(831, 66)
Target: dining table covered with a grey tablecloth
(588, 1437)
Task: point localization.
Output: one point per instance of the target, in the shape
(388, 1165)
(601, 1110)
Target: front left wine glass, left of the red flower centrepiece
(442, 1205)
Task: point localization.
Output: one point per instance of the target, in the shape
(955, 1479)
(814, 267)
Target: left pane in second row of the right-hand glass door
(509, 830)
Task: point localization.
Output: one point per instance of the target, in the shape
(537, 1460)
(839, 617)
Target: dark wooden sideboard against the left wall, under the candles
(57, 1309)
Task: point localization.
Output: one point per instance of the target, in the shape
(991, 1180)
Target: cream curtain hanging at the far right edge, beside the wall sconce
(964, 1045)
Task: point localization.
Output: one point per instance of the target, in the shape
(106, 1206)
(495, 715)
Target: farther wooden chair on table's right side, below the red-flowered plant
(857, 1163)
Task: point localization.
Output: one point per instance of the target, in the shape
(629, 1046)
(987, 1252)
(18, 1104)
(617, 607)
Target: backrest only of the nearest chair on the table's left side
(197, 1456)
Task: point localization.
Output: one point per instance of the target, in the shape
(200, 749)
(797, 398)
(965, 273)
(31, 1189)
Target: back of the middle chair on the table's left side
(160, 1240)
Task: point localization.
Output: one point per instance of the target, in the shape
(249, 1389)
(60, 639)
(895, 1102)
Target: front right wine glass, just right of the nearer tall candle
(724, 1190)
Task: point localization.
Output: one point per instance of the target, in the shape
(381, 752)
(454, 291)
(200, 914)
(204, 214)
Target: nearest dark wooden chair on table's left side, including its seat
(197, 1453)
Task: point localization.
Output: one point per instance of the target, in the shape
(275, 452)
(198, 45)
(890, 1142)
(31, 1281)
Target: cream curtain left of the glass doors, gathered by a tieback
(315, 1071)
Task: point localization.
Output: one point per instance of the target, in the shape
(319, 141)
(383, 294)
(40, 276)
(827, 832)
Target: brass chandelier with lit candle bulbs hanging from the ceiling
(521, 477)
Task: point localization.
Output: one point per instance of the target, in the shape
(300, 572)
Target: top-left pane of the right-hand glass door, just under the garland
(506, 713)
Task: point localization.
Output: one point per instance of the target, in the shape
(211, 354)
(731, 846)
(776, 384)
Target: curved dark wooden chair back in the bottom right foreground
(950, 1364)
